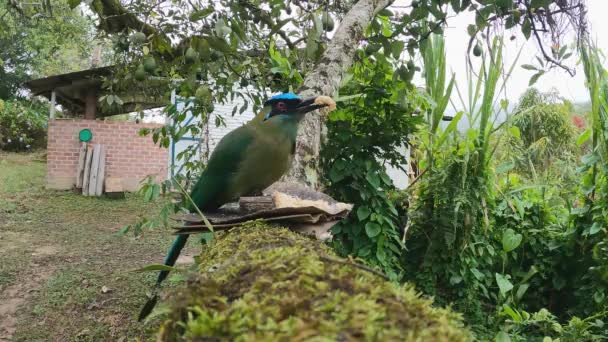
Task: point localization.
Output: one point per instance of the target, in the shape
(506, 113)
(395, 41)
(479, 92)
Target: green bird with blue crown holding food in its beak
(246, 161)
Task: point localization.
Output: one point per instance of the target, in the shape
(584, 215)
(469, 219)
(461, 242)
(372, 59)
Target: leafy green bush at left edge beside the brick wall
(22, 125)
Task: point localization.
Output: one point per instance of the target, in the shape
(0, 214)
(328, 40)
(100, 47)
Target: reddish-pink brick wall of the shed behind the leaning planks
(129, 157)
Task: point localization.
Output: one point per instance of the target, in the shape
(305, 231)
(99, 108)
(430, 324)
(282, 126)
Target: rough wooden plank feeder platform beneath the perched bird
(292, 205)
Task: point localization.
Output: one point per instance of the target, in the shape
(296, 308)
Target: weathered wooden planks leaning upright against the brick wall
(91, 169)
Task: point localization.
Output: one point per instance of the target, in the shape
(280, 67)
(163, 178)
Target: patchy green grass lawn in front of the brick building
(58, 250)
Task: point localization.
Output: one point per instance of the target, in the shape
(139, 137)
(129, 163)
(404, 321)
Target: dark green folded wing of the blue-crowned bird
(212, 188)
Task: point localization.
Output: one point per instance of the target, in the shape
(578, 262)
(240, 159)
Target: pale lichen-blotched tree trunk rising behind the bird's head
(324, 80)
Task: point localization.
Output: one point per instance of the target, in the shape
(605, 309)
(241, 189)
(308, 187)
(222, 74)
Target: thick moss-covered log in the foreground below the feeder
(262, 283)
